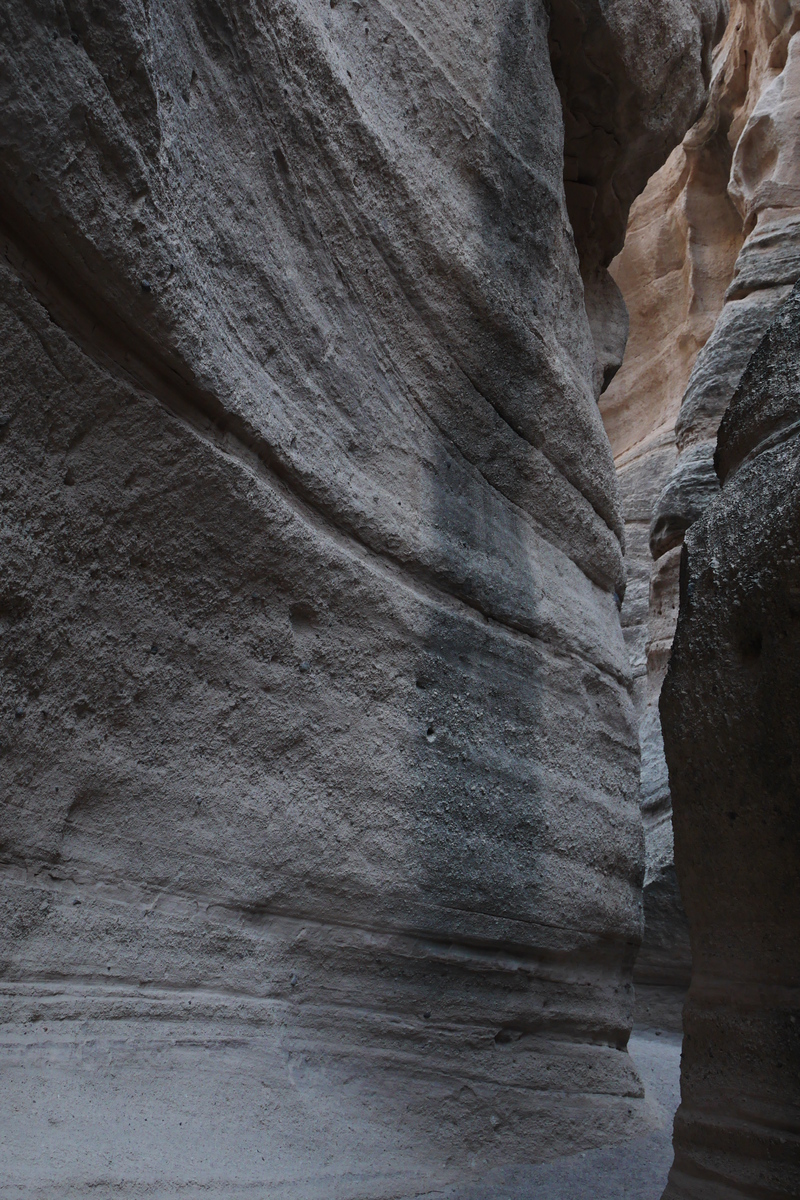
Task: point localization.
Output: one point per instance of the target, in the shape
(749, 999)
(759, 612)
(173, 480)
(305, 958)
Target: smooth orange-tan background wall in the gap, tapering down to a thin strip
(675, 269)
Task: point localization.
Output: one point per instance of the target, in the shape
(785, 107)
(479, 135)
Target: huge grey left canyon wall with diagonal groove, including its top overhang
(321, 832)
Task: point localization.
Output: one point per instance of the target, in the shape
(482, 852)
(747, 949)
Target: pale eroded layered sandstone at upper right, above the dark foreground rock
(756, 105)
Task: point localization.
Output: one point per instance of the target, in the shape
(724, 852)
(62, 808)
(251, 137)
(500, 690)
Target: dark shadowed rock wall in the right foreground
(731, 711)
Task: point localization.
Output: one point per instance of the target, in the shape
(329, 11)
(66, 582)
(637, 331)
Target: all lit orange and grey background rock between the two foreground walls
(711, 256)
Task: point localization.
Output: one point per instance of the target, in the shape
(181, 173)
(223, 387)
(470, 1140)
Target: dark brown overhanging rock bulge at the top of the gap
(630, 87)
